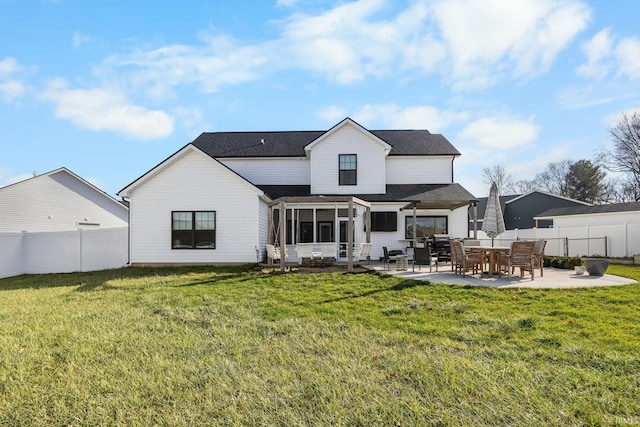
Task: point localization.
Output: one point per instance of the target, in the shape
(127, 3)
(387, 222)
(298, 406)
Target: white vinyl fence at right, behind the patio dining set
(613, 241)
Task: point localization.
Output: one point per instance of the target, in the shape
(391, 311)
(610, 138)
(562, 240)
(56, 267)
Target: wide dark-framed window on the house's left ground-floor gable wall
(193, 230)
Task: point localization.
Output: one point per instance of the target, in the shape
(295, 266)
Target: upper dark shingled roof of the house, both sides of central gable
(292, 143)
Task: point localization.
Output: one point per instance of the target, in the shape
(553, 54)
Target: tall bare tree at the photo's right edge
(624, 157)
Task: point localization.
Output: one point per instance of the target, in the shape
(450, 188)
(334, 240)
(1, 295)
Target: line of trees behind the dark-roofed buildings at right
(585, 179)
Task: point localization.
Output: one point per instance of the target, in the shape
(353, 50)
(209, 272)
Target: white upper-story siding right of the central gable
(419, 170)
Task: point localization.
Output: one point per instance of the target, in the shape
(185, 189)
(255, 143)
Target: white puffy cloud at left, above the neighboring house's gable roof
(105, 109)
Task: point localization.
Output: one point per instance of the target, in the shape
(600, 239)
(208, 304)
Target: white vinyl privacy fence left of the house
(63, 251)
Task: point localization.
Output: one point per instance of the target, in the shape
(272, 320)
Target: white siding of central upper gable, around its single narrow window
(370, 166)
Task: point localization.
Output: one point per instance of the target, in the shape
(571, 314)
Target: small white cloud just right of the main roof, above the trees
(505, 134)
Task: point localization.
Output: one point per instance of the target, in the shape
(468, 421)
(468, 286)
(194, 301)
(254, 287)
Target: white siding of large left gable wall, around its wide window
(194, 182)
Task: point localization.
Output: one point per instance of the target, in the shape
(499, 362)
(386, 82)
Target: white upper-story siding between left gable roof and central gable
(272, 171)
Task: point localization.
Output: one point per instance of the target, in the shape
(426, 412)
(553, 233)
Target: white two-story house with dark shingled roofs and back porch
(219, 199)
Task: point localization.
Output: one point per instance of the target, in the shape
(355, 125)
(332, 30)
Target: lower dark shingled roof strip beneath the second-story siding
(395, 192)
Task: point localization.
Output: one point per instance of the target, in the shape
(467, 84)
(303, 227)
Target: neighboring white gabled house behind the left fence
(56, 202)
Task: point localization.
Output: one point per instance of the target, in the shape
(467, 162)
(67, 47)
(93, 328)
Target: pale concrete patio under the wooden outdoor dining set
(553, 278)
